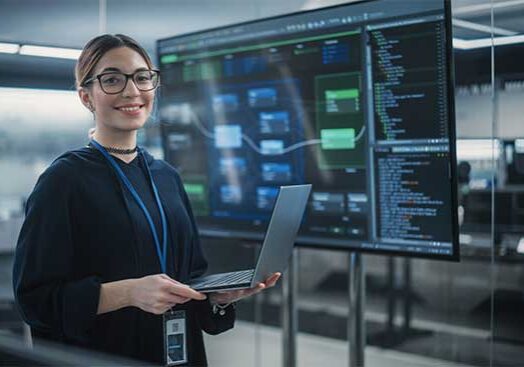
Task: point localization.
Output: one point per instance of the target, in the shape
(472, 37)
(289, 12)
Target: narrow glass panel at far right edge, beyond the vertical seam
(508, 191)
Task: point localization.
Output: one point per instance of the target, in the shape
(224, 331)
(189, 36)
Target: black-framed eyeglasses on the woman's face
(114, 82)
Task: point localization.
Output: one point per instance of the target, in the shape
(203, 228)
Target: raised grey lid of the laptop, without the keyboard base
(282, 230)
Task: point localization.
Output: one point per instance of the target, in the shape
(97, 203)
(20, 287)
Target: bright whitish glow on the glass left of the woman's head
(37, 126)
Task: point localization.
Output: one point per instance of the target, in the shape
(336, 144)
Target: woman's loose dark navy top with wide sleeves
(79, 232)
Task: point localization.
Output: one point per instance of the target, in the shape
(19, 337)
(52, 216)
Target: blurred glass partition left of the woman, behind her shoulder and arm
(36, 126)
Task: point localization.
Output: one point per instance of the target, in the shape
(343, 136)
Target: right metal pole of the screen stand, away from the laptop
(356, 327)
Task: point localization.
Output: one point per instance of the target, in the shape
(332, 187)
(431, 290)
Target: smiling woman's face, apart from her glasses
(129, 109)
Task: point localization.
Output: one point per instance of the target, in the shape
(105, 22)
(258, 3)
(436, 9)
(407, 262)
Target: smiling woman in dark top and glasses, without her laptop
(109, 238)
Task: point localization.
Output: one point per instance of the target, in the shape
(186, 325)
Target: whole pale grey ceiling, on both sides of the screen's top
(71, 23)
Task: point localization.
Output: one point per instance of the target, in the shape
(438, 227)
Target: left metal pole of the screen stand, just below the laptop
(289, 313)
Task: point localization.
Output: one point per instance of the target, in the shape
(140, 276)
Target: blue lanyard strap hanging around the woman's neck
(161, 251)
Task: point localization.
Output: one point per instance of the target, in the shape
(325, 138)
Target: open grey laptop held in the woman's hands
(276, 249)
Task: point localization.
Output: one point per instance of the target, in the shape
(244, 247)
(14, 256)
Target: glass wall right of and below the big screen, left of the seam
(430, 312)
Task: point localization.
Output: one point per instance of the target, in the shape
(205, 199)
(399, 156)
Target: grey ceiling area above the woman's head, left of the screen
(71, 23)
